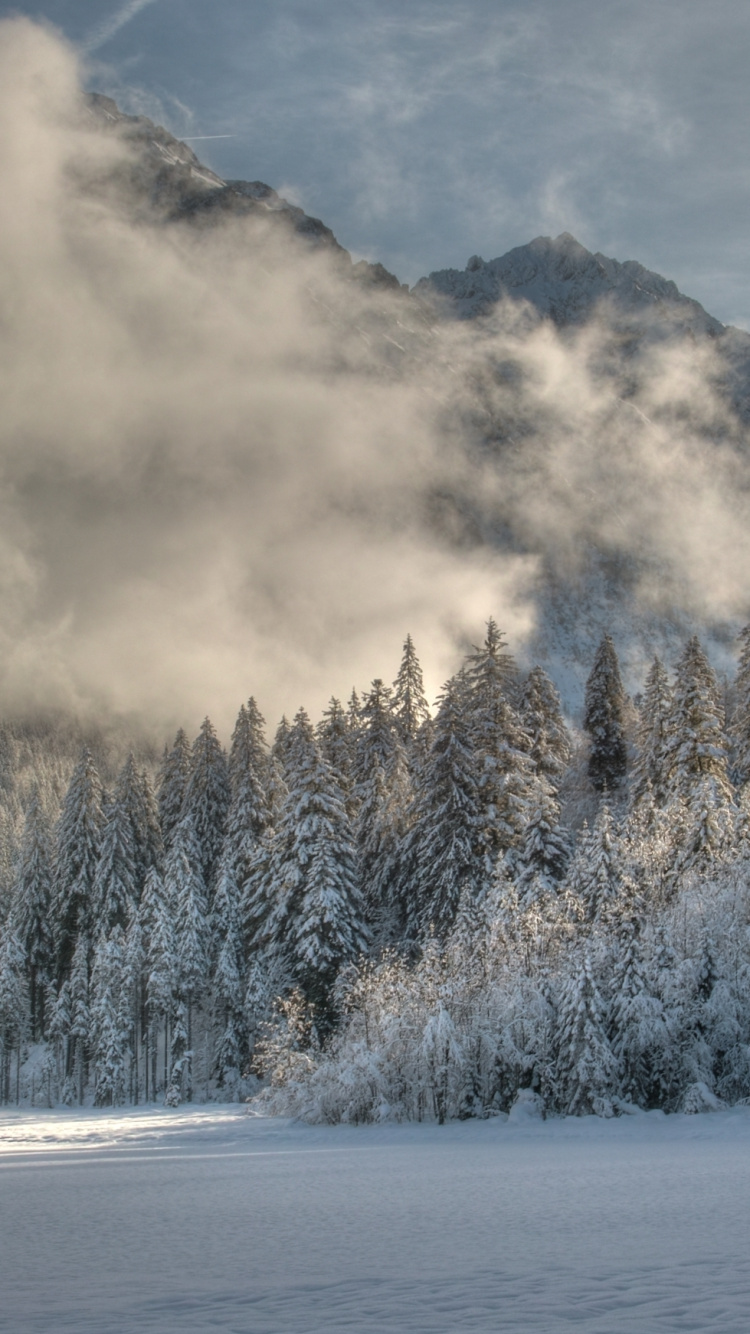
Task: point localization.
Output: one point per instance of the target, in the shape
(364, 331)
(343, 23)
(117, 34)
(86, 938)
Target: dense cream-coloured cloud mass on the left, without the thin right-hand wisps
(212, 485)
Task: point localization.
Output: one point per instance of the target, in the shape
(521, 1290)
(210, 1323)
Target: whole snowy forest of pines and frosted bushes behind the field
(389, 914)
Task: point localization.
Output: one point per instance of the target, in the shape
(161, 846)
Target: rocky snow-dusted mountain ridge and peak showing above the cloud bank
(557, 279)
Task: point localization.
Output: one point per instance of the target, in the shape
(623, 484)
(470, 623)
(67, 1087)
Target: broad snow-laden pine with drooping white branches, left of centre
(318, 914)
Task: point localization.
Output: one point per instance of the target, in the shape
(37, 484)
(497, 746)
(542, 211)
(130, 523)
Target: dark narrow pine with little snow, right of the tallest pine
(604, 720)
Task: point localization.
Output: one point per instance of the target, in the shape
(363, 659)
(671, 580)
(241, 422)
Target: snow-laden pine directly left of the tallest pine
(444, 853)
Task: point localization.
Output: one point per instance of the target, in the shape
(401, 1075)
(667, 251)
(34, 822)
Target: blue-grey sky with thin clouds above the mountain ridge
(430, 131)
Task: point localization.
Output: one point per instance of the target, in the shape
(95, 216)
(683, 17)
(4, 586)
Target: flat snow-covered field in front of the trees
(208, 1220)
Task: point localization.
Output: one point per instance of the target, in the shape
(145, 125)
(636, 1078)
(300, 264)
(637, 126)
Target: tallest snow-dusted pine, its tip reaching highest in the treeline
(501, 748)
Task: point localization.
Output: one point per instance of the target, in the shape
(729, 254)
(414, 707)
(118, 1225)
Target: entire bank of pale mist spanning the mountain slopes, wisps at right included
(224, 472)
